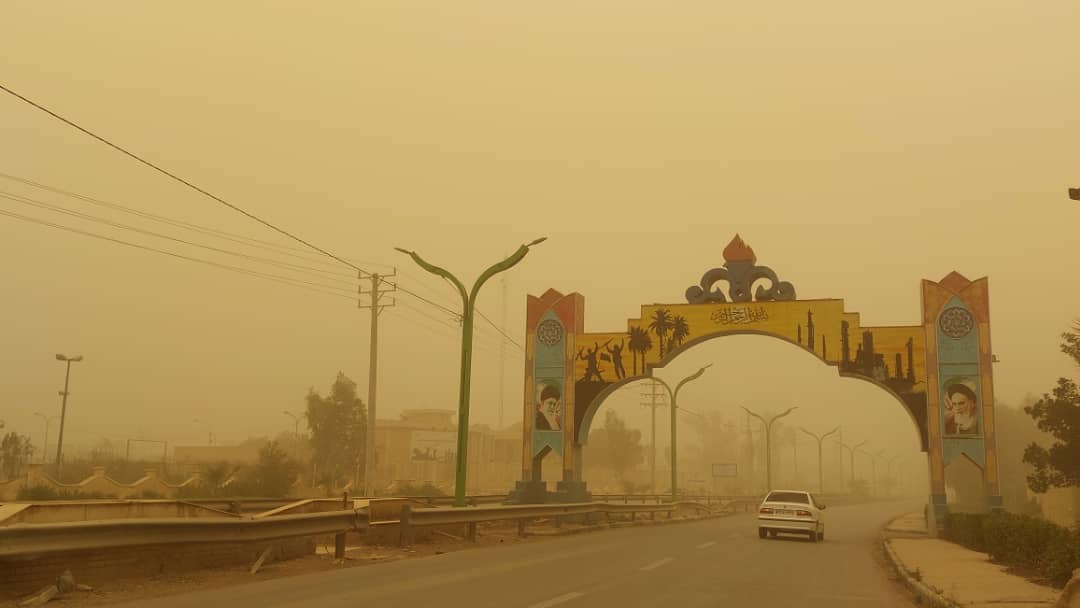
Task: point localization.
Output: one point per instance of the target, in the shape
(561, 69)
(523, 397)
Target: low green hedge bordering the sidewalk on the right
(1020, 542)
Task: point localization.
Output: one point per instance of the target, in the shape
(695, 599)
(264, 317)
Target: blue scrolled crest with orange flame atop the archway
(741, 272)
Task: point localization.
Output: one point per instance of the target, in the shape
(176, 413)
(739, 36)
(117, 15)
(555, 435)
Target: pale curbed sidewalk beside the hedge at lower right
(965, 577)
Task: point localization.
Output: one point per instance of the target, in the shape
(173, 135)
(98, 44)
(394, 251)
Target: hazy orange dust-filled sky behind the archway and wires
(858, 147)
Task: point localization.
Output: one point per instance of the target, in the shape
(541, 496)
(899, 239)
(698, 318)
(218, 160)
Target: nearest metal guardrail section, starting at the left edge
(36, 539)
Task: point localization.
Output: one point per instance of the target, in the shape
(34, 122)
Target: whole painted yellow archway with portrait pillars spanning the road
(940, 371)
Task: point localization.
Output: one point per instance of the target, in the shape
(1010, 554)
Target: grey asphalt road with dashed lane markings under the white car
(704, 564)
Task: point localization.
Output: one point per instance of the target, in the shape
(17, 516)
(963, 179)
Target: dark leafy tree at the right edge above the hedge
(1058, 414)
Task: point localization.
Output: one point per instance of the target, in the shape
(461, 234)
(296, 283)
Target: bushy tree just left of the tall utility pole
(339, 427)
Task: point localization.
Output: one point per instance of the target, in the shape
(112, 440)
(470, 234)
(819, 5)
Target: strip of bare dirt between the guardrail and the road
(357, 557)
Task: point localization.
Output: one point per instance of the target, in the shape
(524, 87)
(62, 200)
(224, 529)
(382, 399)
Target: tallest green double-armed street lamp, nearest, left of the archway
(468, 307)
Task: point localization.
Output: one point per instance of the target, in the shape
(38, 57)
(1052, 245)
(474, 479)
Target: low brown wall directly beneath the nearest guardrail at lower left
(96, 569)
